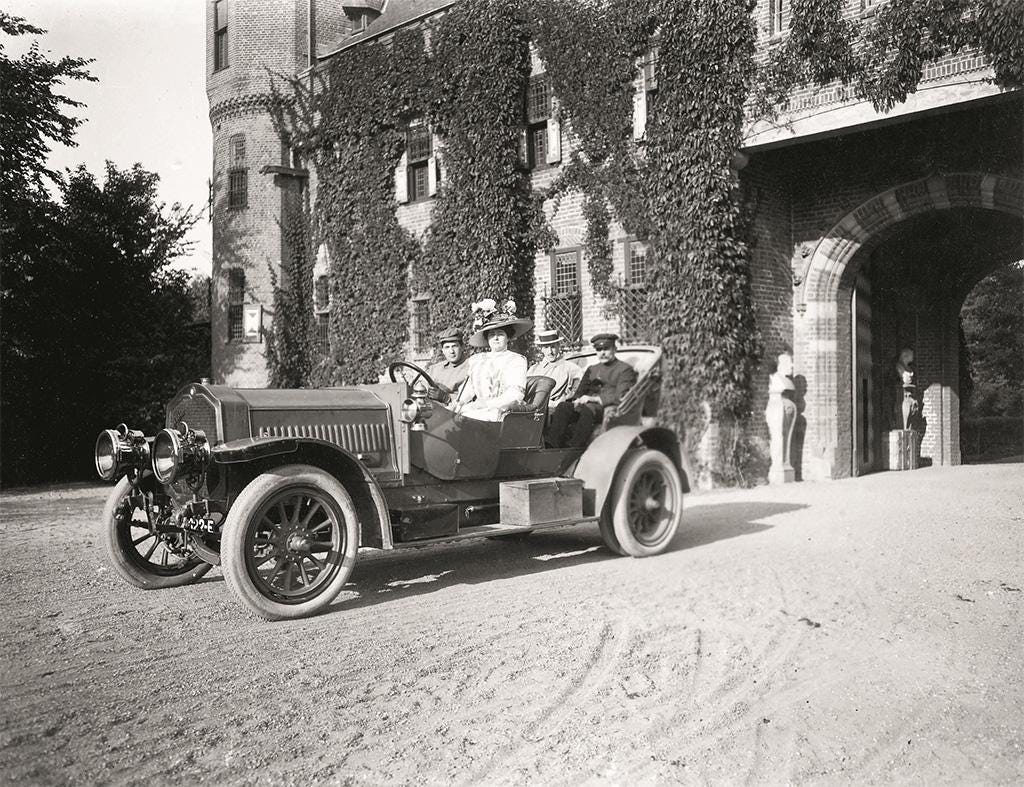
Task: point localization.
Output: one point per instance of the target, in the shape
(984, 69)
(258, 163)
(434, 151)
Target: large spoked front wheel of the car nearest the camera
(290, 543)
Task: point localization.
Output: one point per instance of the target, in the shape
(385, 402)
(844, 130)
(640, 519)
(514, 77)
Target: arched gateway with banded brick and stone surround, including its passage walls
(839, 312)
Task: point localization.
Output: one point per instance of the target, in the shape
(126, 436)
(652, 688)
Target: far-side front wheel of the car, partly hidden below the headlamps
(141, 557)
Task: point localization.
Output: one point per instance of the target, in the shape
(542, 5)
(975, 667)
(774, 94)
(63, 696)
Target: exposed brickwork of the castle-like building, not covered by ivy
(870, 230)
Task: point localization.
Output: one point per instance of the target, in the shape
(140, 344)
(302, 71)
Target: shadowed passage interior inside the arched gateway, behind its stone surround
(908, 297)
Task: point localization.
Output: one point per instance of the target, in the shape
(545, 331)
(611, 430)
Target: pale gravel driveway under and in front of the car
(855, 632)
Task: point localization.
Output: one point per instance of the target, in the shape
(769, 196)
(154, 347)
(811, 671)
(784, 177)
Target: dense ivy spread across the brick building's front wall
(676, 187)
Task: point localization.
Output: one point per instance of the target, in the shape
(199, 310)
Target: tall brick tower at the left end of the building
(250, 46)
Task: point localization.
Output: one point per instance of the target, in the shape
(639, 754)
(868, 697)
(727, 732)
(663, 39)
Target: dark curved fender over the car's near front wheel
(332, 458)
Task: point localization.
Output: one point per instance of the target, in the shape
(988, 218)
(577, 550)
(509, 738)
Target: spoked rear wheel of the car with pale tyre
(646, 506)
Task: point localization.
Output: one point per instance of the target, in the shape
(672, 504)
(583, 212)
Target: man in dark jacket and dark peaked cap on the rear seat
(604, 385)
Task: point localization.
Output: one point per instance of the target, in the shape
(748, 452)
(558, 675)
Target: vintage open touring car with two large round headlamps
(282, 489)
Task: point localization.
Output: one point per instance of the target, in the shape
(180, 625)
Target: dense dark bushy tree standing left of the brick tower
(98, 330)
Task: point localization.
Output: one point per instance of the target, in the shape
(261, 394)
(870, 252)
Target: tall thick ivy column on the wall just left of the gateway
(700, 289)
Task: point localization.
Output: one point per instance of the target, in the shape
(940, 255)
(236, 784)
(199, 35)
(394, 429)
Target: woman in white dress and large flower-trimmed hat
(497, 378)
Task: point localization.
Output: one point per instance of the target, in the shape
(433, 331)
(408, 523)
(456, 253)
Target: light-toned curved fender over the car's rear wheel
(600, 463)
